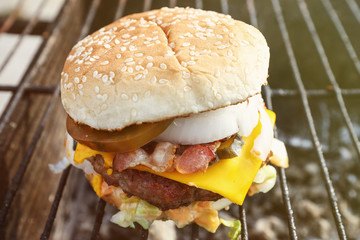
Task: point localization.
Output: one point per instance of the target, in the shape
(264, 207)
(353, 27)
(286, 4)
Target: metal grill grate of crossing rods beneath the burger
(25, 88)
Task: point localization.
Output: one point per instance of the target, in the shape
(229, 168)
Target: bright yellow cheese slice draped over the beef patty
(231, 178)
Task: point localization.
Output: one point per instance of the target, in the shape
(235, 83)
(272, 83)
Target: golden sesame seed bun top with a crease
(162, 64)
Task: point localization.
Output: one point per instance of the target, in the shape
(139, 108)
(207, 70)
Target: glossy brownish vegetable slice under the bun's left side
(125, 140)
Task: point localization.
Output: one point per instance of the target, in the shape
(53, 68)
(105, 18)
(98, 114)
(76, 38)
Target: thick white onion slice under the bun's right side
(214, 125)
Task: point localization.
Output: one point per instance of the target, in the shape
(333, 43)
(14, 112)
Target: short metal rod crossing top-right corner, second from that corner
(341, 30)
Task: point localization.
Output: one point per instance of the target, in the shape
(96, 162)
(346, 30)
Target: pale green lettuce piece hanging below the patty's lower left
(135, 210)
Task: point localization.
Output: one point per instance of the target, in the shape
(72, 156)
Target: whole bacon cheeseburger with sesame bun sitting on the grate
(166, 118)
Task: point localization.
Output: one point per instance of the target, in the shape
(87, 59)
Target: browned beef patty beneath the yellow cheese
(161, 192)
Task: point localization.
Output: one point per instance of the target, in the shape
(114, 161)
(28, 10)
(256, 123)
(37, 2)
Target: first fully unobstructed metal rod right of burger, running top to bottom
(315, 139)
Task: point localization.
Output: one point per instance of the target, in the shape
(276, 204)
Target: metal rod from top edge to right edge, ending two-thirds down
(319, 47)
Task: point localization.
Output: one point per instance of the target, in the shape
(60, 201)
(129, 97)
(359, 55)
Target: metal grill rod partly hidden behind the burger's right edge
(283, 181)
